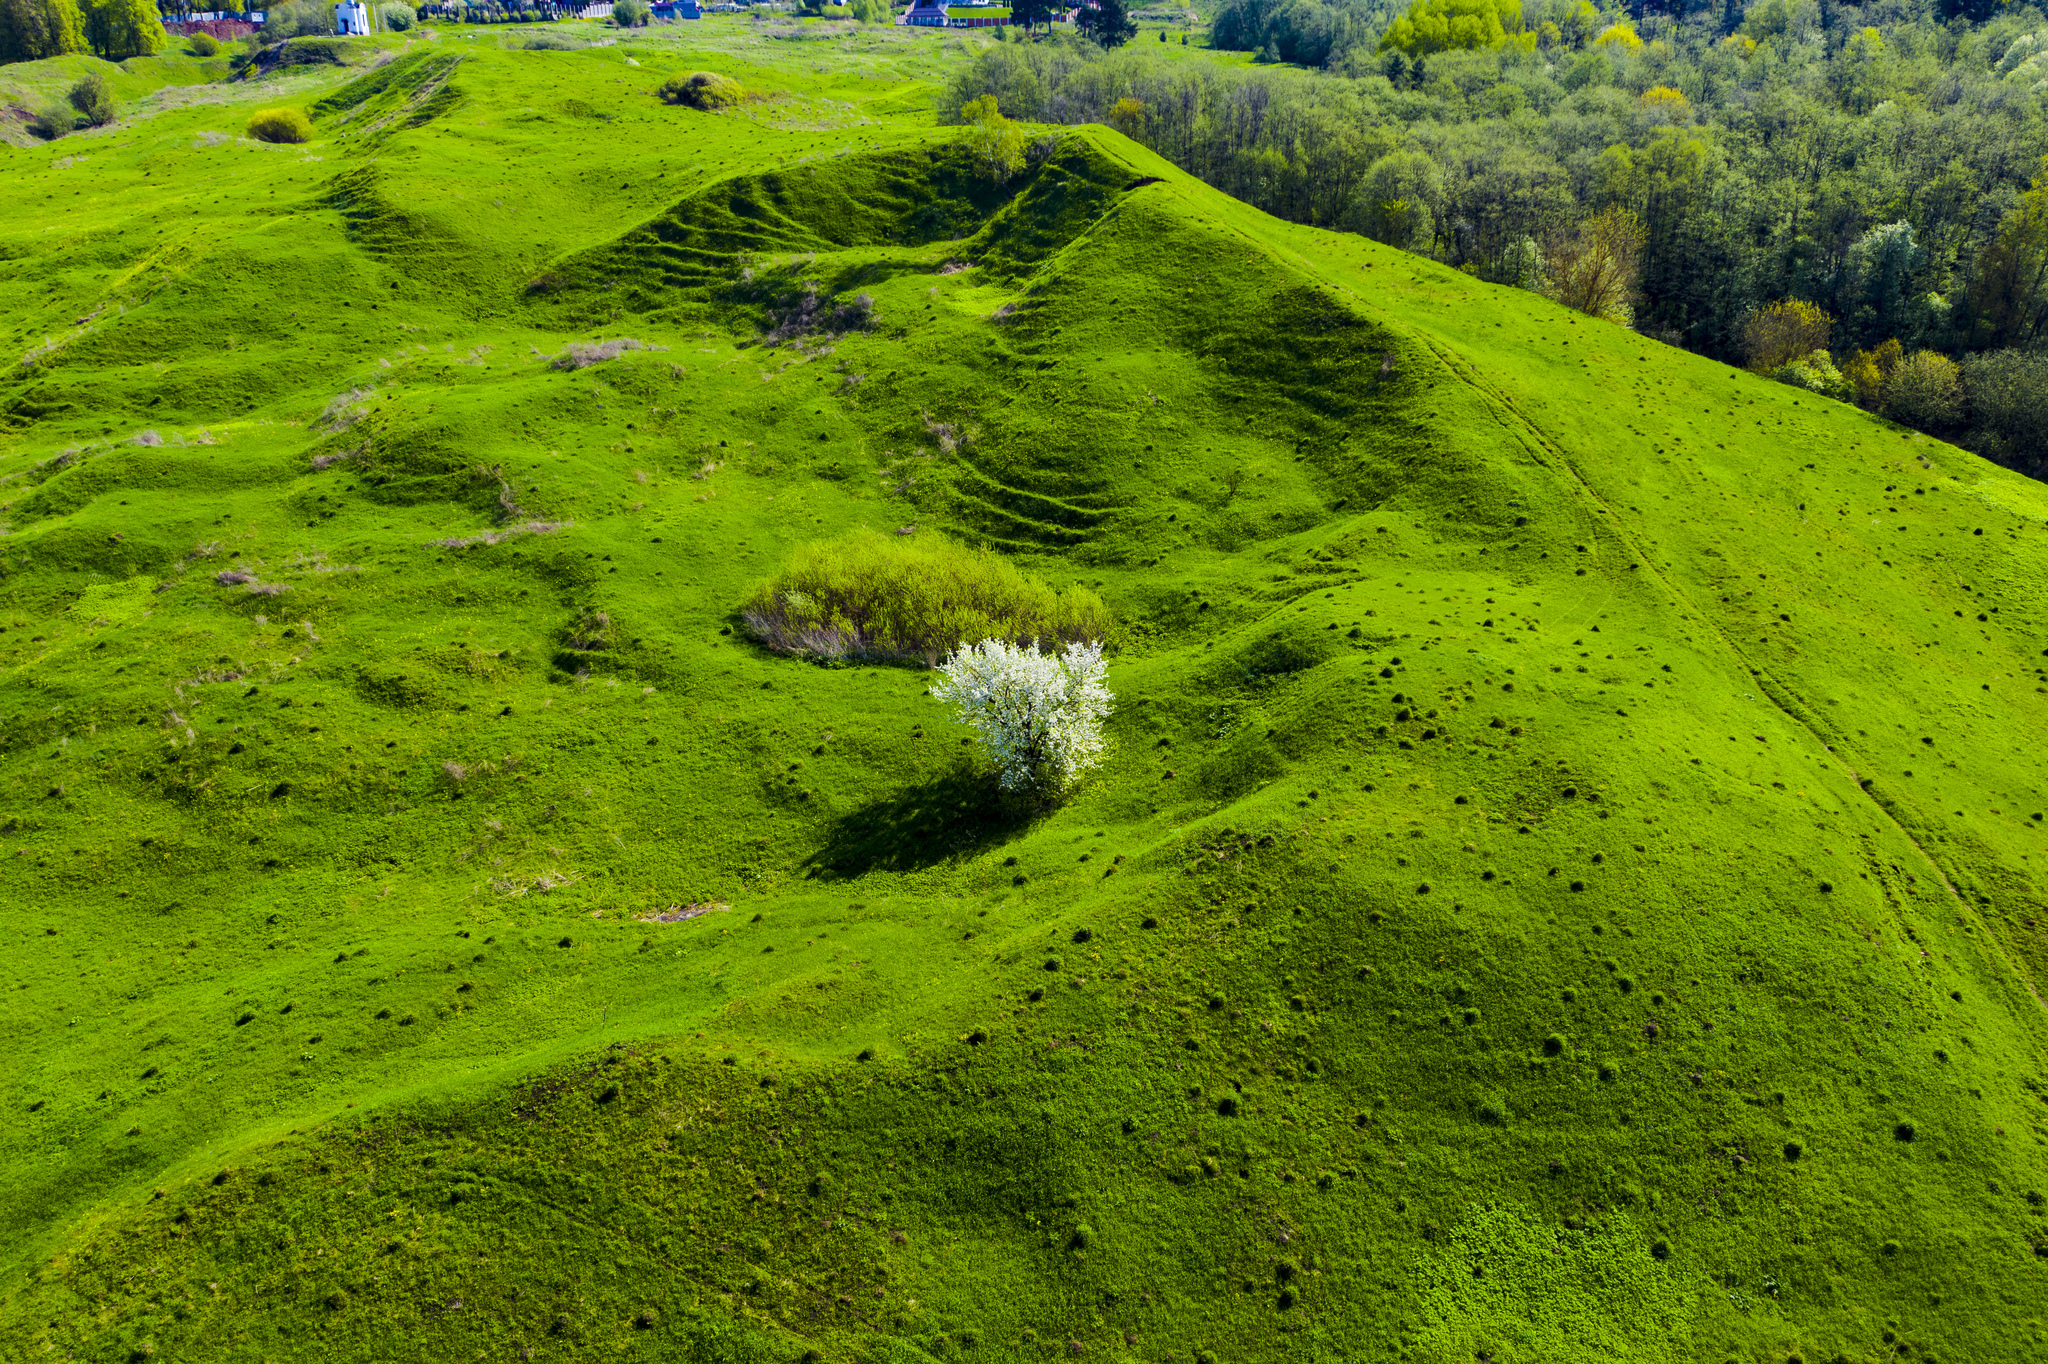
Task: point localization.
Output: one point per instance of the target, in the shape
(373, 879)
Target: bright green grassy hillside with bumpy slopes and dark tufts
(1353, 509)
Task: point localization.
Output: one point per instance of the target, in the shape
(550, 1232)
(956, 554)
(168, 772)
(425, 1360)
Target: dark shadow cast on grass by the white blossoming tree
(935, 822)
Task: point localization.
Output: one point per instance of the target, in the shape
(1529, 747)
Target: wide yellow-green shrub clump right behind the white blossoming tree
(876, 599)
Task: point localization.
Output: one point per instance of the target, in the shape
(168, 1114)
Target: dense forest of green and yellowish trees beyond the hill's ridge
(1854, 200)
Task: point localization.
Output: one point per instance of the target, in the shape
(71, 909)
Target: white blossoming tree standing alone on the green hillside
(1039, 714)
